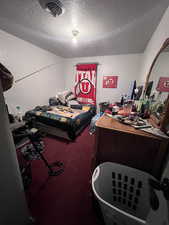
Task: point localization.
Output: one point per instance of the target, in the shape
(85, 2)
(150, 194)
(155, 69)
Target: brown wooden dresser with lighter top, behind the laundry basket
(116, 142)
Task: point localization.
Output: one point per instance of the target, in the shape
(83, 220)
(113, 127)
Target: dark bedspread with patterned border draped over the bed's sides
(70, 125)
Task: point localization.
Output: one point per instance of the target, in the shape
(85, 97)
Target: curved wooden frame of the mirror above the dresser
(165, 120)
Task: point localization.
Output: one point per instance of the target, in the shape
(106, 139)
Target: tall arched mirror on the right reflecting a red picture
(157, 89)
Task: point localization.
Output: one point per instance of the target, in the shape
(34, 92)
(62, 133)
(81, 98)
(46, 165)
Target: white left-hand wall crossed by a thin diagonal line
(23, 58)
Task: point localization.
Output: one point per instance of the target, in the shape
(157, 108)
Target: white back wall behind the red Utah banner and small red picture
(127, 67)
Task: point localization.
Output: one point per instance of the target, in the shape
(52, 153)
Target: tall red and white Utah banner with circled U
(85, 83)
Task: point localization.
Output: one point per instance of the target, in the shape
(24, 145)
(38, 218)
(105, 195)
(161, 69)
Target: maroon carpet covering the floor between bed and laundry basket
(65, 199)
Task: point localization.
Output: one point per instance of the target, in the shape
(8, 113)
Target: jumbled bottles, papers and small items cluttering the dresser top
(135, 113)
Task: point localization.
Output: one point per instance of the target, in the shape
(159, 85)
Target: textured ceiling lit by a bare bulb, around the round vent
(106, 26)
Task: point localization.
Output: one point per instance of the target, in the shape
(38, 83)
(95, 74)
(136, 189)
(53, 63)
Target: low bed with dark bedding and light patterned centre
(61, 121)
